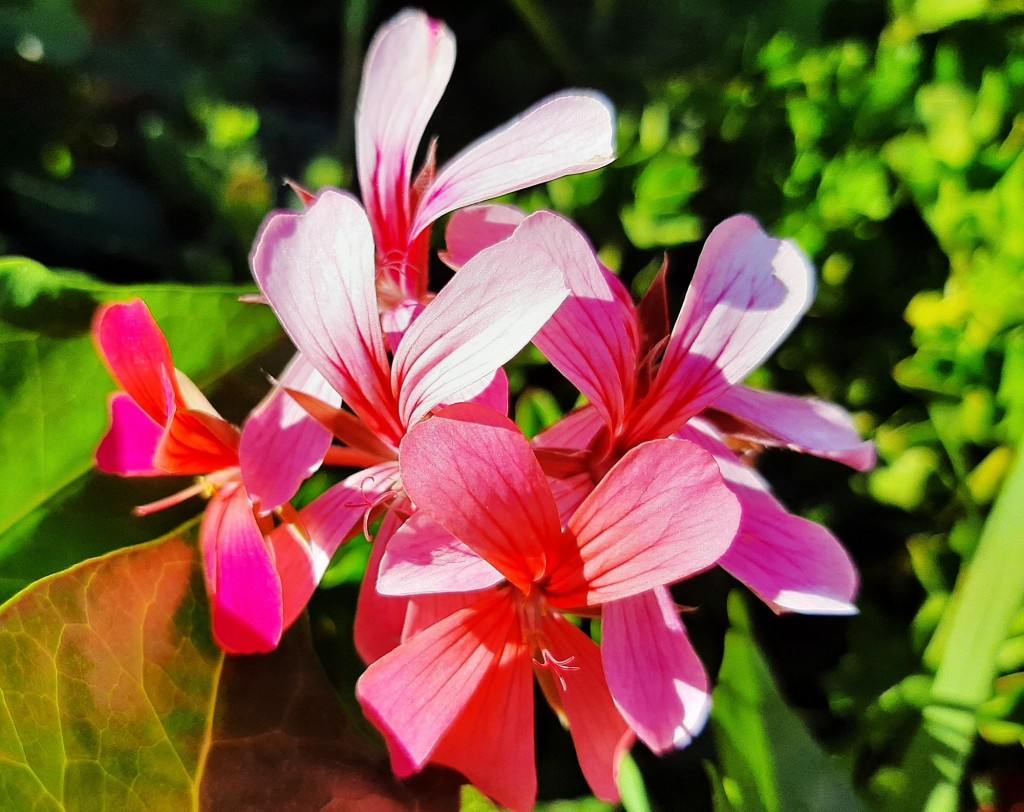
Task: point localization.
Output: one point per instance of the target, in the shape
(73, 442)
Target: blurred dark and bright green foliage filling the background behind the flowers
(146, 142)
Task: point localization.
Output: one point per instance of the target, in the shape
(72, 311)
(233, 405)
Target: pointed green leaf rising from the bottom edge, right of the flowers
(767, 754)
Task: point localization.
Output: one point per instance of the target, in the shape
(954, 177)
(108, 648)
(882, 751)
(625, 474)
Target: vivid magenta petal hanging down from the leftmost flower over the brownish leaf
(242, 580)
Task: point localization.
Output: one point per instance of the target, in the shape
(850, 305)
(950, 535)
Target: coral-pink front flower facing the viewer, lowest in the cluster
(458, 691)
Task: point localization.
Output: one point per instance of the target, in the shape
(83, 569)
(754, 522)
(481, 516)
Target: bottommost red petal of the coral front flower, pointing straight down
(492, 743)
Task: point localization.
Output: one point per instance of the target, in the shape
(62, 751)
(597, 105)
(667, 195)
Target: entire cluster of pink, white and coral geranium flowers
(490, 548)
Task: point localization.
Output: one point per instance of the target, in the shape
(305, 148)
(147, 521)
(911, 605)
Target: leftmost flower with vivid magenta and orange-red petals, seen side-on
(163, 425)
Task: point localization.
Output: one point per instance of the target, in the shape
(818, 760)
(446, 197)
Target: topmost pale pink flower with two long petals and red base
(407, 69)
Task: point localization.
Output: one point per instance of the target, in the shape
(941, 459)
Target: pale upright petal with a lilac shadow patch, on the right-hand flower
(748, 293)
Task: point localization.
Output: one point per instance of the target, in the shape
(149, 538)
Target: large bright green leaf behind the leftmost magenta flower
(54, 512)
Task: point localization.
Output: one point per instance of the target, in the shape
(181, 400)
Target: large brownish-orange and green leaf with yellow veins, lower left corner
(113, 696)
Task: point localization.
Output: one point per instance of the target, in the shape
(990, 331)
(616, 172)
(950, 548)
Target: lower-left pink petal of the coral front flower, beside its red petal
(416, 693)
